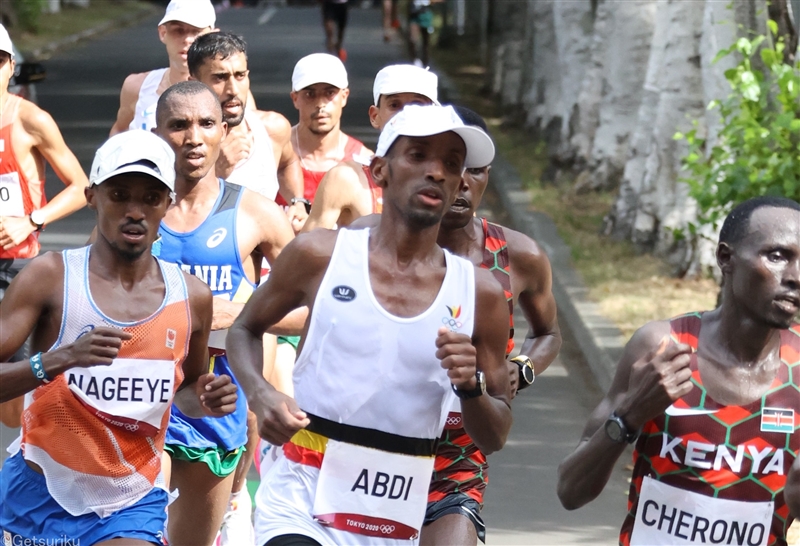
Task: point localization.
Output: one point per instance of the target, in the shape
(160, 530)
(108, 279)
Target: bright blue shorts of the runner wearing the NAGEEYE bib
(28, 511)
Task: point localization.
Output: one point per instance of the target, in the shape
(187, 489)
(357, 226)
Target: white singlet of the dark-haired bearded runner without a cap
(258, 172)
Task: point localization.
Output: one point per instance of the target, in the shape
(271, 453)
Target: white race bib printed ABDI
(371, 492)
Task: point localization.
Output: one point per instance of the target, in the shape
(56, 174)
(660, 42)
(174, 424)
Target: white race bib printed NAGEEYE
(130, 394)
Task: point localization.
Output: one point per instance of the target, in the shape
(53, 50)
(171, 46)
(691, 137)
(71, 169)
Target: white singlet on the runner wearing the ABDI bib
(361, 365)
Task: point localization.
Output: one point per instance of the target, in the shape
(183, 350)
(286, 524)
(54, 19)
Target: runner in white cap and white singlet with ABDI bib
(386, 348)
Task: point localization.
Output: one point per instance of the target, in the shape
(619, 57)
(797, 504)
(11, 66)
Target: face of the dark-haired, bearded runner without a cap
(230, 80)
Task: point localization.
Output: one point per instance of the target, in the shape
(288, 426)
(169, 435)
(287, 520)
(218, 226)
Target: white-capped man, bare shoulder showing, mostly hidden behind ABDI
(348, 191)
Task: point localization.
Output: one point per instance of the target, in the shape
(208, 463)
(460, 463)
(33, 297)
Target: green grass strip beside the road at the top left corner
(72, 20)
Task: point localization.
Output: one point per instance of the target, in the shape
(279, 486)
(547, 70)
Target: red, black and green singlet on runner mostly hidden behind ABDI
(460, 467)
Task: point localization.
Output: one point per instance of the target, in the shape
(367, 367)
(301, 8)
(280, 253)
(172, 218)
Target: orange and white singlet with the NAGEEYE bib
(98, 432)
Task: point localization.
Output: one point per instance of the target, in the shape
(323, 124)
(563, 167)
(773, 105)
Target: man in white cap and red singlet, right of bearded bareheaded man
(319, 92)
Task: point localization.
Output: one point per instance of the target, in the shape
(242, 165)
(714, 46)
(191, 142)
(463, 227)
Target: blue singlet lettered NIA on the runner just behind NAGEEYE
(211, 253)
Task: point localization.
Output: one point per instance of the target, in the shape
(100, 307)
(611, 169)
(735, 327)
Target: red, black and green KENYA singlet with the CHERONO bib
(709, 454)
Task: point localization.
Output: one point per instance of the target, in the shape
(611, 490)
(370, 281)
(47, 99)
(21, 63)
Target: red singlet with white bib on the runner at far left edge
(18, 195)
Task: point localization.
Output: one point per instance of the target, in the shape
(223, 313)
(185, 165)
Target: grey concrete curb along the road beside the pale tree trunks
(599, 339)
